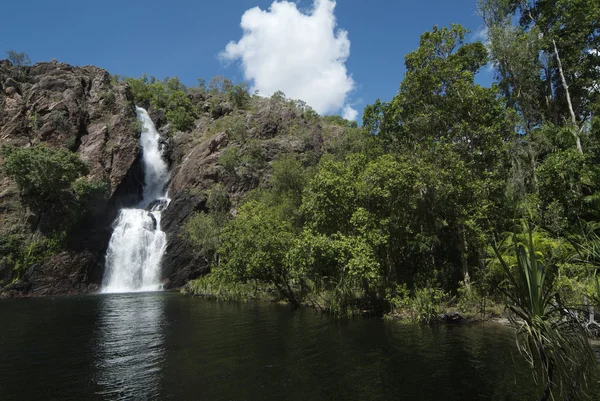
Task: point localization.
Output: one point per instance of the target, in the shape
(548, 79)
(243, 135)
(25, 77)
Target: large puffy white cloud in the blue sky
(301, 54)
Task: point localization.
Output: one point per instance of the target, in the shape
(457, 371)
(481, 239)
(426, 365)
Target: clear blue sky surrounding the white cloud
(184, 38)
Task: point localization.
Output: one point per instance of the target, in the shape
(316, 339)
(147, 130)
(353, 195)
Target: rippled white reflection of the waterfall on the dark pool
(130, 346)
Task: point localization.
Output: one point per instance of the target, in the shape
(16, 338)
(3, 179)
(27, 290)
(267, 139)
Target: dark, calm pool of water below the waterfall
(169, 347)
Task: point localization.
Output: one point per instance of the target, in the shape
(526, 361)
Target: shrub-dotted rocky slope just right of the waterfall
(271, 130)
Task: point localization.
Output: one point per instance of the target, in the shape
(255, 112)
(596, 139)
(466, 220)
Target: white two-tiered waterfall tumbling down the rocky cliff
(137, 244)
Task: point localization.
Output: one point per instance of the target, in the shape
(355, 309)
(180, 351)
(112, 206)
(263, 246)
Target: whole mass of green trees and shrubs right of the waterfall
(399, 215)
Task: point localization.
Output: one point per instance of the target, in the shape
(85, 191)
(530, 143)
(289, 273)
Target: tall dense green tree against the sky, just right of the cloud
(460, 130)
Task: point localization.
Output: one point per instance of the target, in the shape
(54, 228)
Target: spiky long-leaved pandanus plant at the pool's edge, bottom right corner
(551, 338)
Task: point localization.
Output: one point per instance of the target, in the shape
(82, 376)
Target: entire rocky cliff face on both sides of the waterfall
(82, 109)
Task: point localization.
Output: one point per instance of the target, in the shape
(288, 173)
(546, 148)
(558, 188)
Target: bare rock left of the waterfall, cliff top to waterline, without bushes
(75, 108)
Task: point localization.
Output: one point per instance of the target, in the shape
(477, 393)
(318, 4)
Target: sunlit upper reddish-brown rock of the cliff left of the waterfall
(71, 107)
